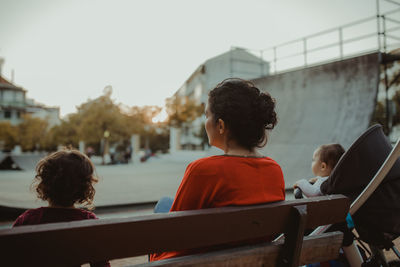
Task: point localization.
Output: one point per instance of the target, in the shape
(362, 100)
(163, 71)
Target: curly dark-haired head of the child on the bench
(65, 178)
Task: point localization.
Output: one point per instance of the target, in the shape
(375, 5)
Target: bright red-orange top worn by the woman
(220, 181)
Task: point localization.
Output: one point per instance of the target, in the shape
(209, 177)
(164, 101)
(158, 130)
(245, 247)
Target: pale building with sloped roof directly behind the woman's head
(238, 63)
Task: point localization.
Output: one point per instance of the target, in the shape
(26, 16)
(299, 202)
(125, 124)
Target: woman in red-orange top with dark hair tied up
(237, 118)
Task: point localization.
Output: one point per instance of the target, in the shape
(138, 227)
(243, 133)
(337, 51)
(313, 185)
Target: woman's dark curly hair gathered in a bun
(246, 111)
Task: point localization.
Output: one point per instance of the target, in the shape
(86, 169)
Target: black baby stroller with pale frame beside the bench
(376, 216)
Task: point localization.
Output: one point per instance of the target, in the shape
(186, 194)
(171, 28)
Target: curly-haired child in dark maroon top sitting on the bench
(64, 179)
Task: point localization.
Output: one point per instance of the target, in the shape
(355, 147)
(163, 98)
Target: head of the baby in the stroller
(325, 158)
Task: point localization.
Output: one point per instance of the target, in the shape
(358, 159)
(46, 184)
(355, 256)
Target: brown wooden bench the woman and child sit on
(80, 242)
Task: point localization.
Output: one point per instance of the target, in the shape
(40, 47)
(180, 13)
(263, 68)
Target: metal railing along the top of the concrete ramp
(301, 52)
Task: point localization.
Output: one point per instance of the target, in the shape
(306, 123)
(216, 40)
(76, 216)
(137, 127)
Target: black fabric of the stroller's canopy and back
(378, 220)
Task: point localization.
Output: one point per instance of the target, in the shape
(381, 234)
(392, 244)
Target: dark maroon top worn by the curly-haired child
(52, 215)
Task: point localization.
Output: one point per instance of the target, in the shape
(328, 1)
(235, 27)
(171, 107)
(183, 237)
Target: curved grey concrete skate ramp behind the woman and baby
(330, 103)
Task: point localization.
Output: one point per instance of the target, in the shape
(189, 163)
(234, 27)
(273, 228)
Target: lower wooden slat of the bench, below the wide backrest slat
(315, 249)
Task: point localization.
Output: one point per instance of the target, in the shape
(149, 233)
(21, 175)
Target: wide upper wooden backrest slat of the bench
(96, 240)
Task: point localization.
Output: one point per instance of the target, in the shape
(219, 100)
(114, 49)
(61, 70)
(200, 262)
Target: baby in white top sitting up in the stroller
(324, 161)
